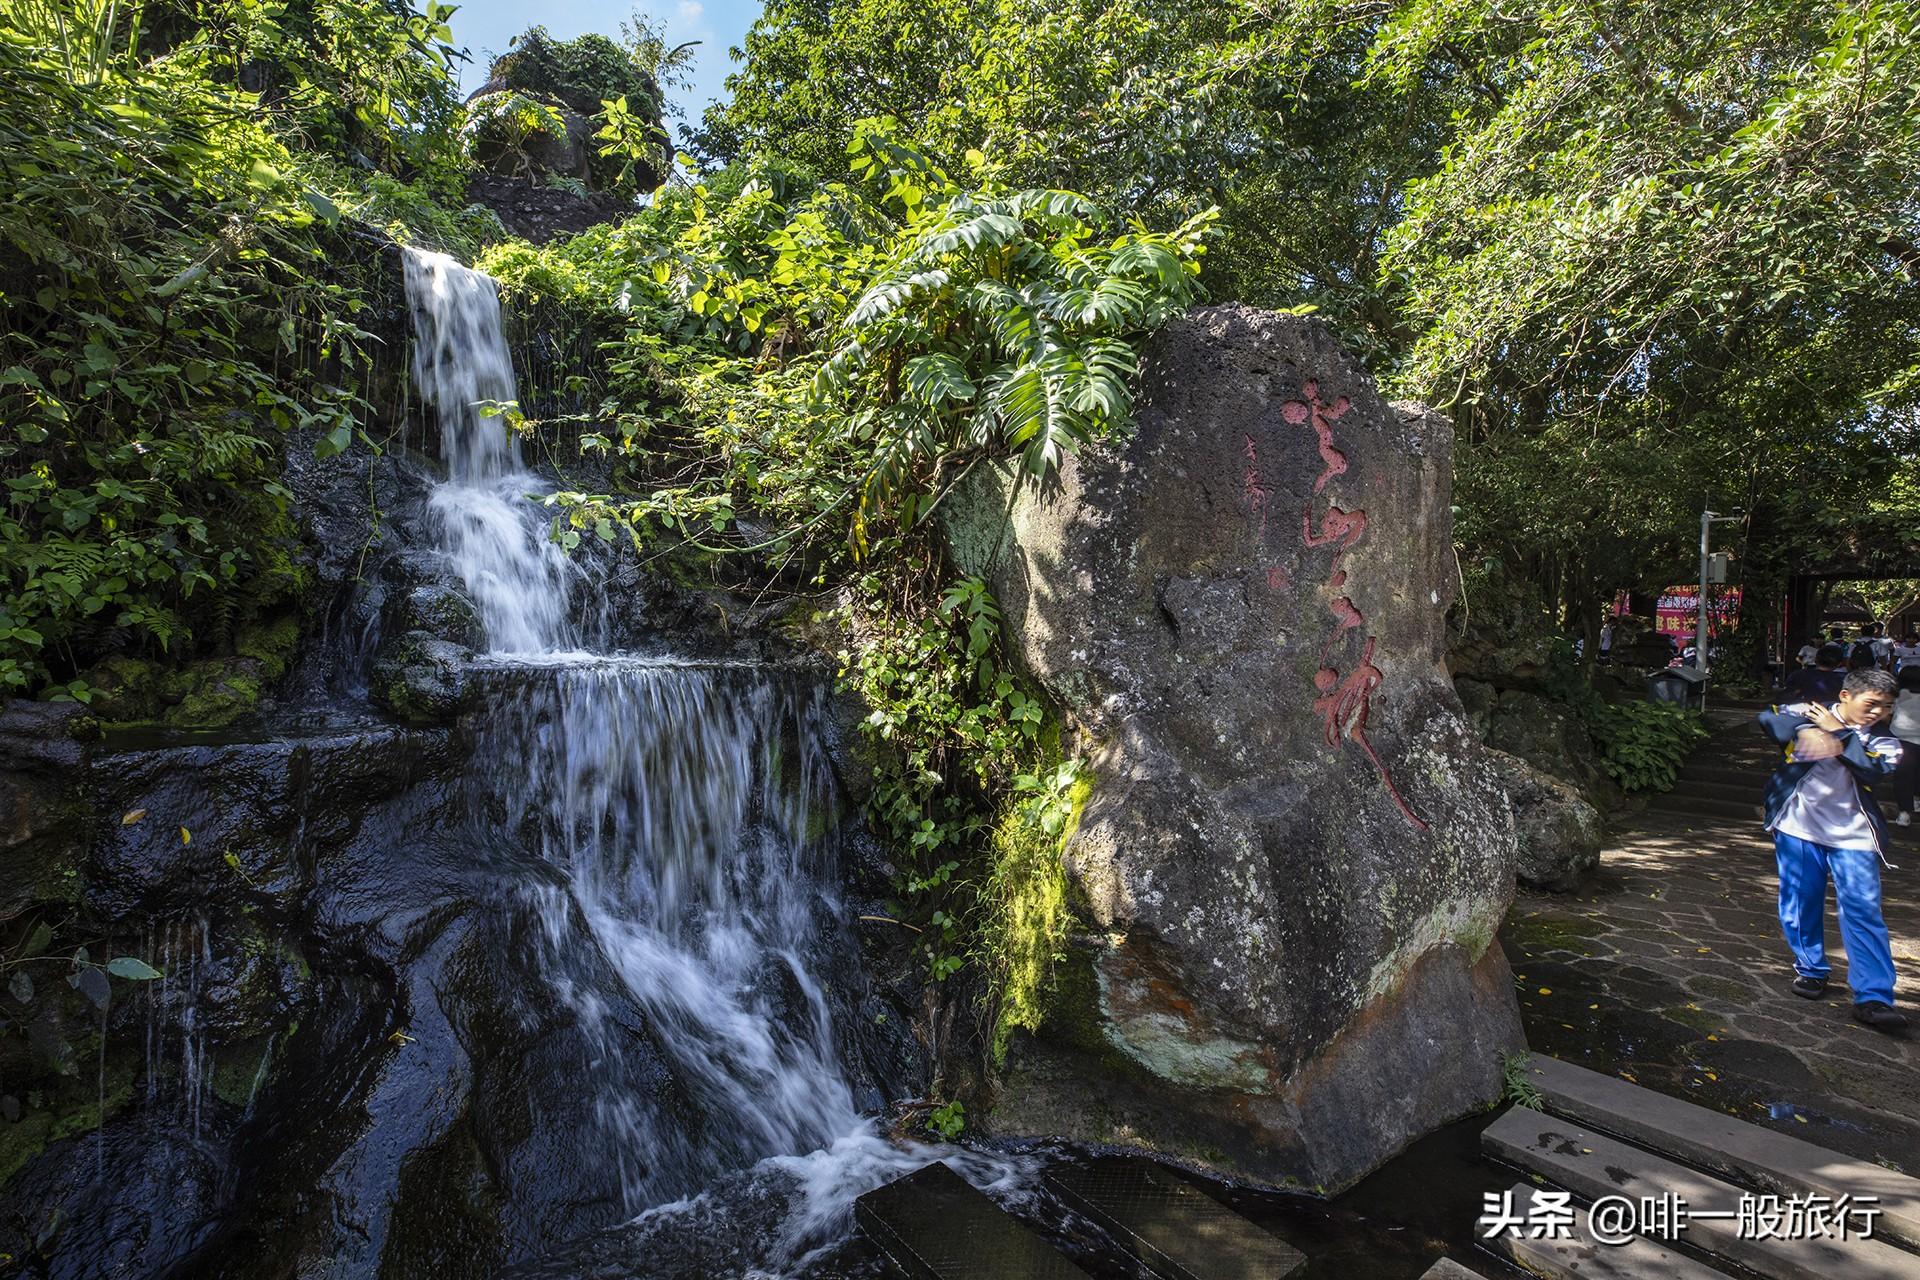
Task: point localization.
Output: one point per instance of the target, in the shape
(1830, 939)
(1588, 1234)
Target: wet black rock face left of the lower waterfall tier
(358, 1058)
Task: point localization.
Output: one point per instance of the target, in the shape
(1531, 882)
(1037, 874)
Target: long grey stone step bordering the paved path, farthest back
(1723, 1145)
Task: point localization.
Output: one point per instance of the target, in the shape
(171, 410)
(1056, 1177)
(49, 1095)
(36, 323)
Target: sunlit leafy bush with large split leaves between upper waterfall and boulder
(834, 358)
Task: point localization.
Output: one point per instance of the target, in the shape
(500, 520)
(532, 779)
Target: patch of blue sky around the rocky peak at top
(487, 26)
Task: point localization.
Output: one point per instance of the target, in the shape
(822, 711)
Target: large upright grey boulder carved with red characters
(1297, 849)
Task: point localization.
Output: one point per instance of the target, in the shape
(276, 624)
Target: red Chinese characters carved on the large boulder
(1341, 703)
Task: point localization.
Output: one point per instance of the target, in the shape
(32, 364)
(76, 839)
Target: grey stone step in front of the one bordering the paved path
(1593, 1166)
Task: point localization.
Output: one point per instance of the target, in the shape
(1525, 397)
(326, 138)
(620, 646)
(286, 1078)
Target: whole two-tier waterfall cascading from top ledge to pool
(684, 803)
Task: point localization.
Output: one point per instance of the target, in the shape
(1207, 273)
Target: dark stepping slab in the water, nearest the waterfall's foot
(936, 1227)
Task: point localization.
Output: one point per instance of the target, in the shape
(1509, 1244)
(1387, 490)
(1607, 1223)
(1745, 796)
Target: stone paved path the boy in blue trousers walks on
(1671, 972)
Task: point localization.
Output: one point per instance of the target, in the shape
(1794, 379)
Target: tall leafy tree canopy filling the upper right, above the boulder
(1650, 256)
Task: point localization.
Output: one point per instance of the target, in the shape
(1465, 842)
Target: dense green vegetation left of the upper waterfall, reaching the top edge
(166, 321)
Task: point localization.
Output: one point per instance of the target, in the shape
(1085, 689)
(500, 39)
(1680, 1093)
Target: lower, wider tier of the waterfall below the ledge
(681, 801)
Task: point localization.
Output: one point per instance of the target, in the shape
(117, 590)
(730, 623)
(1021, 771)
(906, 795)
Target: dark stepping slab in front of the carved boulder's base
(1176, 1229)
